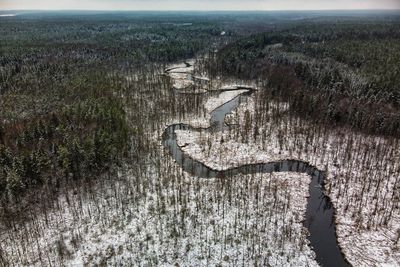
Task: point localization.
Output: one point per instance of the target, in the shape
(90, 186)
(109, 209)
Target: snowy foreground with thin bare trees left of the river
(165, 220)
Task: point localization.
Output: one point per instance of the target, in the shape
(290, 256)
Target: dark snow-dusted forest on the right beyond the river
(342, 74)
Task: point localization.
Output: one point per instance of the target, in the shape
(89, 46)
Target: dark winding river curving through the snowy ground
(319, 217)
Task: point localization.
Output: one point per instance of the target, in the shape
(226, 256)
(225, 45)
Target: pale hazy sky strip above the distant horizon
(199, 4)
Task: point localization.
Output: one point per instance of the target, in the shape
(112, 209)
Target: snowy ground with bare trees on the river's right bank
(364, 239)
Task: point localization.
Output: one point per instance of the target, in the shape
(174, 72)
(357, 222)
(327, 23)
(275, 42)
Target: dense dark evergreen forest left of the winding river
(62, 113)
